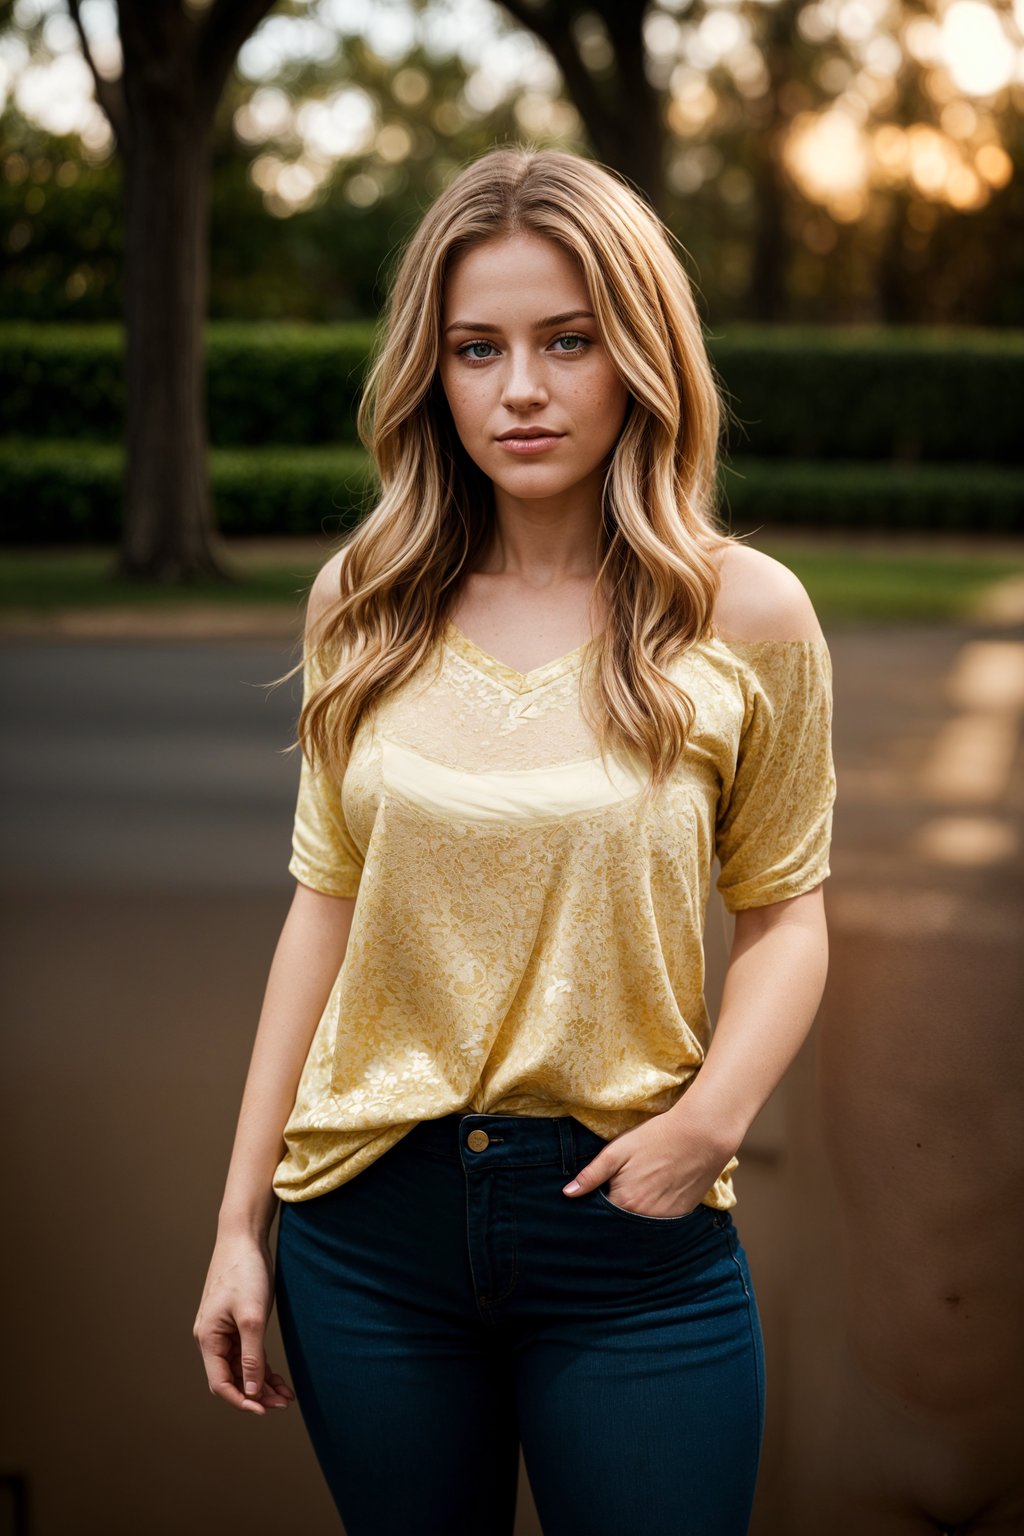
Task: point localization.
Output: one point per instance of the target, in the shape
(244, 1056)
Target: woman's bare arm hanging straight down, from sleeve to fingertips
(239, 1296)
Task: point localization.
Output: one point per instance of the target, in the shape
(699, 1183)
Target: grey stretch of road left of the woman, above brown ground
(156, 766)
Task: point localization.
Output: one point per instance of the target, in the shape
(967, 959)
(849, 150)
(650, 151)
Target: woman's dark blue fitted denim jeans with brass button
(451, 1305)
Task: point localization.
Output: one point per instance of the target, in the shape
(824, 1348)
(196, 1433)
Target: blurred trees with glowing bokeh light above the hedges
(868, 153)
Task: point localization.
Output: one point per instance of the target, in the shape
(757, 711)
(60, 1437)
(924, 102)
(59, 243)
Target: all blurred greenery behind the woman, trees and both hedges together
(844, 179)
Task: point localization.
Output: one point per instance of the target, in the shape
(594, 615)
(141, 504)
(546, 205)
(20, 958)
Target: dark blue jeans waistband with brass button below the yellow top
(506, 1140)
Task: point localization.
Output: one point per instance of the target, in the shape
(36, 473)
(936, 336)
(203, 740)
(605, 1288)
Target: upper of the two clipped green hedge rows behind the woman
(905, 396)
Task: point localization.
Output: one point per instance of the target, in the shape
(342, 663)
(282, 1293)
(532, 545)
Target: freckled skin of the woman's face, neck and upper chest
(533, 595)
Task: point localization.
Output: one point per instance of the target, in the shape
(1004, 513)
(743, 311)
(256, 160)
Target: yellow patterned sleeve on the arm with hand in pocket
(775, 827)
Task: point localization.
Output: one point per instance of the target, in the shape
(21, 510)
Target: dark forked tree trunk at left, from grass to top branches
(177, 62)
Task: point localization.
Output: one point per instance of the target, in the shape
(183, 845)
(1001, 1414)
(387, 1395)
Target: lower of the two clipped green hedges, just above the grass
(70, 494)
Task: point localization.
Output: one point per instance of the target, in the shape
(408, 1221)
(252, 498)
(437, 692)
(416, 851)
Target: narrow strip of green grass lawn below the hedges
(848, 581)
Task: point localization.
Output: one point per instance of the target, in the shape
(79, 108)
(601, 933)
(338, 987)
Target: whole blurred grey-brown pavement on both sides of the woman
(147, 819)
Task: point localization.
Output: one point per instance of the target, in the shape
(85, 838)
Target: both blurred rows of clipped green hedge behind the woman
(896, 429)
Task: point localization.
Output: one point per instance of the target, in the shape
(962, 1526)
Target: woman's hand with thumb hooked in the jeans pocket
(658, 1170)
